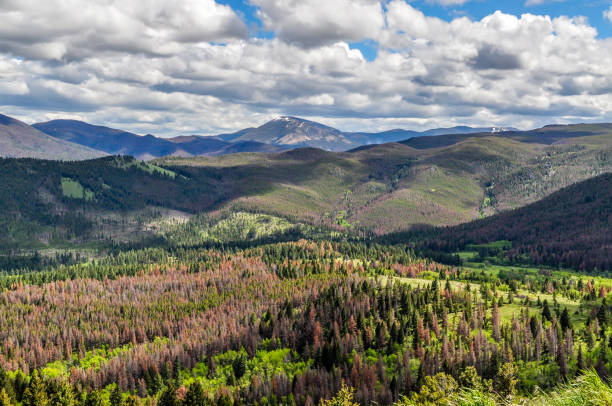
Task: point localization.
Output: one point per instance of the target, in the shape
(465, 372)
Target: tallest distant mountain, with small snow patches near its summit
(297, 132)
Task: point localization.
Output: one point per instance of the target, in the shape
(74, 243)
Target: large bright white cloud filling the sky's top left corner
(76, 28)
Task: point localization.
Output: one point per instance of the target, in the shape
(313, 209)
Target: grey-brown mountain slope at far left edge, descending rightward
(19, 140)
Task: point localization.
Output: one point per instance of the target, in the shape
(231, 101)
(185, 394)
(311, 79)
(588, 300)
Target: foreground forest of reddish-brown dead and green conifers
(293, 323)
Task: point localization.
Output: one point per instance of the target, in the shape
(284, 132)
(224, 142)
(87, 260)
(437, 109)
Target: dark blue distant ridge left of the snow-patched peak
(119, 142)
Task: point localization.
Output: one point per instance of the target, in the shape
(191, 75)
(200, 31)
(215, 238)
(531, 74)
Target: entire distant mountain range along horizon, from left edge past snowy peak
(72, 139)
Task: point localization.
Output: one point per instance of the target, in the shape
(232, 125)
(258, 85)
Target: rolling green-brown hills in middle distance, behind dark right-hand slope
(390, 187)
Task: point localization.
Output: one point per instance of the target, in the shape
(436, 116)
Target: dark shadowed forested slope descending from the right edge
(569, 228)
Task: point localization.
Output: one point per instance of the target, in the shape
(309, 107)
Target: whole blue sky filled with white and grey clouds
(171, 67)
